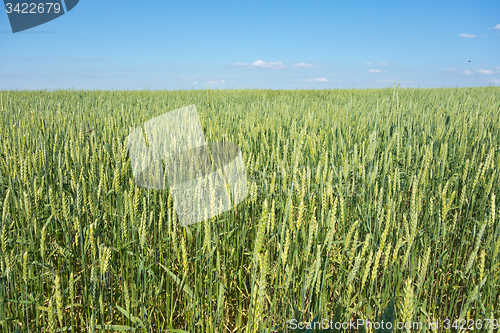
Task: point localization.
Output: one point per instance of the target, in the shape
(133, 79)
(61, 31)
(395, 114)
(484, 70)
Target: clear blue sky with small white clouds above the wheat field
(256, 44)
